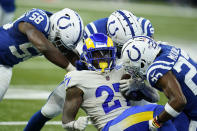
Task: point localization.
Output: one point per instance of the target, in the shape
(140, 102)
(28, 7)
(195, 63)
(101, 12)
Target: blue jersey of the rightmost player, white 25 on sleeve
(185, 70)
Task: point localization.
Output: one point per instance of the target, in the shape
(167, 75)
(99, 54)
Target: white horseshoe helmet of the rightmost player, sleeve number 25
(138, 54)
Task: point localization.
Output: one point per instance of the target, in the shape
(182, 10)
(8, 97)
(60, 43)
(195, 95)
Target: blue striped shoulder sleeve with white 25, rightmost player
(162, 64)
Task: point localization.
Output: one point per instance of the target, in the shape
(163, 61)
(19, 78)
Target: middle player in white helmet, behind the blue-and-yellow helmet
(121, 25)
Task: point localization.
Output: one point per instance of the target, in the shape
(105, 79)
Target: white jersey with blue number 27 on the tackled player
(102, 100)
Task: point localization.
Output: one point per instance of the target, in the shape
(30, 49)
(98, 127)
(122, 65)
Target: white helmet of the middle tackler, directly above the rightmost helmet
(122, 25)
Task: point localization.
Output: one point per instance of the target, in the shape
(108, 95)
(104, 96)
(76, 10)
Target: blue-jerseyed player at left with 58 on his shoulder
(35, 33)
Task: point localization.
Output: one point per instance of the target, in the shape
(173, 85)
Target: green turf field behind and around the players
(170, 23)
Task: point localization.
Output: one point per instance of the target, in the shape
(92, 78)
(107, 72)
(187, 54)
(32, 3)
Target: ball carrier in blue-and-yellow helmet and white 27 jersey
(96, 91)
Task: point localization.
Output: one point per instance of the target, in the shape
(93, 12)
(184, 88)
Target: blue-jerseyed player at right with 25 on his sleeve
(168, 69)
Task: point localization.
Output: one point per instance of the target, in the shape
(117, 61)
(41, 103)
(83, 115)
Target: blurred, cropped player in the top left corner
(7, 9)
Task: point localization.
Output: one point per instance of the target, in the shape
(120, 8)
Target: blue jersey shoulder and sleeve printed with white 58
(38, 18)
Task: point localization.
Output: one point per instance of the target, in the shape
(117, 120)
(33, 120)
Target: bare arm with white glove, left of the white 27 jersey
(73, 101)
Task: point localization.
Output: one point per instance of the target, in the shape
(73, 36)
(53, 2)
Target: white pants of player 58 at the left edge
(5, 77)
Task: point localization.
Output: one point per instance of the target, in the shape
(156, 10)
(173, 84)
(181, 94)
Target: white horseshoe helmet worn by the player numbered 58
(66, 29)
